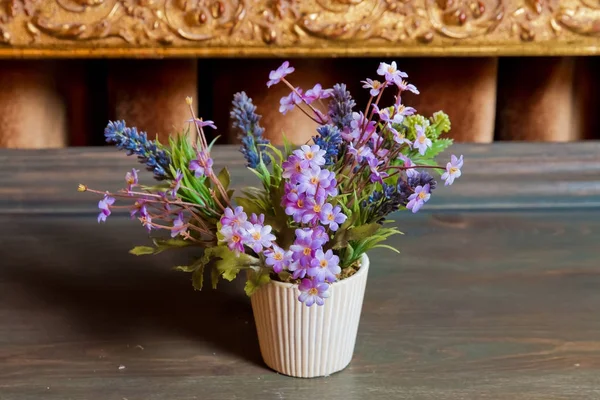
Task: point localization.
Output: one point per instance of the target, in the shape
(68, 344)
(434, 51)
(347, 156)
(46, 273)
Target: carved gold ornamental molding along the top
(116, 28)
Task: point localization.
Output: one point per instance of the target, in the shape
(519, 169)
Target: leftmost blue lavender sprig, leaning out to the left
(156, 159)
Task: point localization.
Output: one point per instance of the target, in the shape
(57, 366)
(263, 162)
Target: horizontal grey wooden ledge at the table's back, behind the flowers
(499, 176)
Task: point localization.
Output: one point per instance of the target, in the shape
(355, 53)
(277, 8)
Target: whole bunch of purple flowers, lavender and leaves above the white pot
(320, 207)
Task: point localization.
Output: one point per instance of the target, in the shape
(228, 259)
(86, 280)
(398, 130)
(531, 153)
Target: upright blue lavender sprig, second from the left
(246, 120)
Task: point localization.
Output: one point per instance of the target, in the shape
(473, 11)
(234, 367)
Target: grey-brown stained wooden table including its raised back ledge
(496, 294)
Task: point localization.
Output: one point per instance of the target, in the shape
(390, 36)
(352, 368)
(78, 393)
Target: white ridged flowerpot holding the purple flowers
(307, 342)
